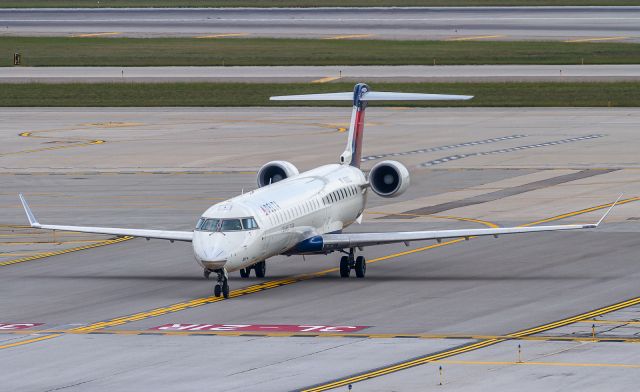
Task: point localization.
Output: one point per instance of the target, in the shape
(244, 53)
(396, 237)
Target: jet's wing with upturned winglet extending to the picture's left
(159, 234)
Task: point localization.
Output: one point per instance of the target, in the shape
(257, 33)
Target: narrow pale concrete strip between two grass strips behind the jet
(324, 74)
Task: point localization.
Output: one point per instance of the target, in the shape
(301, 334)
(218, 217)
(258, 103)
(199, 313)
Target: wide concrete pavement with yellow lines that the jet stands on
(556, 310)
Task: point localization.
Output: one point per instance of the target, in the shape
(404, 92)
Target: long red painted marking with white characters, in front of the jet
(259, 328)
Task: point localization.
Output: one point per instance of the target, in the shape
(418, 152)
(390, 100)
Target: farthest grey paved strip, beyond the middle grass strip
(467, 23)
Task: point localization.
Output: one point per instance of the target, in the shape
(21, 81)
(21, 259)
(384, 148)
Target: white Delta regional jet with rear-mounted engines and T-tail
(292, 213)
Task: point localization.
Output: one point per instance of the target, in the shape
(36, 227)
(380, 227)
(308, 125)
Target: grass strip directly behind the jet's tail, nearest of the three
(241, 94)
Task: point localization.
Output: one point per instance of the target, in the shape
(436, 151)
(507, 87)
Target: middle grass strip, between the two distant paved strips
(70, 51)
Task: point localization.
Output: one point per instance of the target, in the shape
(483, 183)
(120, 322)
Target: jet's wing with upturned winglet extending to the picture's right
(353, 240)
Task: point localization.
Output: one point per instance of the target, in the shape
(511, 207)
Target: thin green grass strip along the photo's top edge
(303, 3)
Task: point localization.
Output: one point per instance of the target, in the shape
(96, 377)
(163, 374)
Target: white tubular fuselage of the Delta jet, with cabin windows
(323, 200)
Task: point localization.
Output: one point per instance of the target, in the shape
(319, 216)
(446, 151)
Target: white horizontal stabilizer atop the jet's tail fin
(373, 96)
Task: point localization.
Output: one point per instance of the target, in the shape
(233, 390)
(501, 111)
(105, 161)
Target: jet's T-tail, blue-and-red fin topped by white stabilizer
(361, 95)
